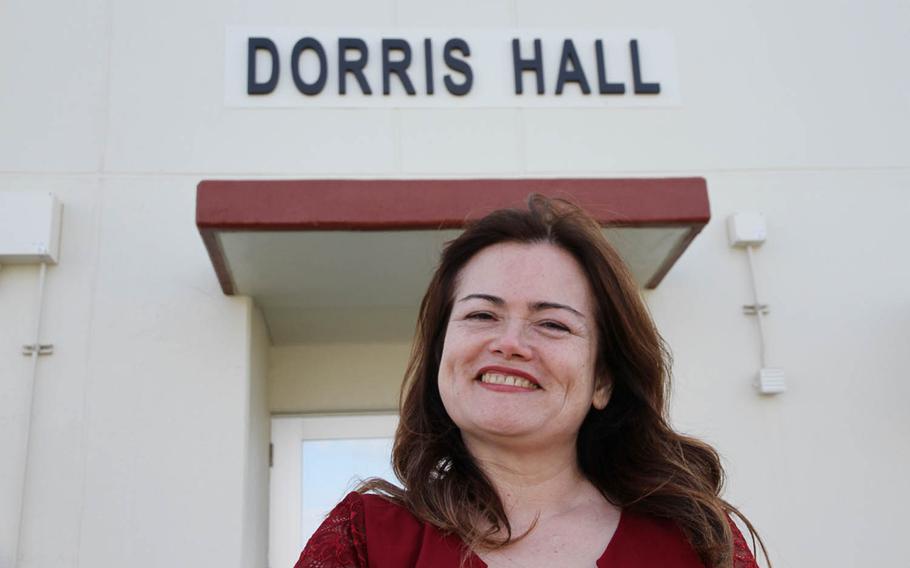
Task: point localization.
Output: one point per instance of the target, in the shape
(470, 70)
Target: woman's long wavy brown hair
(627, 450)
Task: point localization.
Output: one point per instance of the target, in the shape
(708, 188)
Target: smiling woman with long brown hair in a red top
(533, 425)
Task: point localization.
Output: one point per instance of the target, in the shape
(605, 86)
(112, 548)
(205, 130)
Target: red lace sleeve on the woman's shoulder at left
(340, 541)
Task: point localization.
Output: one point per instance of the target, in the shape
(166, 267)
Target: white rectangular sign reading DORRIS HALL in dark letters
(313, 68)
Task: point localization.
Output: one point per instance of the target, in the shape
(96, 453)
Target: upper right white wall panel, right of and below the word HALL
(758, 90)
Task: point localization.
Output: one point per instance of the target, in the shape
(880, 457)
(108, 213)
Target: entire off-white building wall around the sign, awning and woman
(149, 416)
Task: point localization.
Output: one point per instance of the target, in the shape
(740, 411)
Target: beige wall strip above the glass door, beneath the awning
(336, 377)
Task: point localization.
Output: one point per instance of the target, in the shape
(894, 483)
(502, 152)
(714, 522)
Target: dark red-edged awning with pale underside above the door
(349, 260)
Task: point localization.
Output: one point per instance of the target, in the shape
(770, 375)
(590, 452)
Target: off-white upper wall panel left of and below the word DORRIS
(167, 107)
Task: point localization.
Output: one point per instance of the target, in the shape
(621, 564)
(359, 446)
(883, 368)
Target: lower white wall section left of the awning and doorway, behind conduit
(137, 436)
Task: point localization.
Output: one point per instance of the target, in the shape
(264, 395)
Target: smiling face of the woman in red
(520, 348)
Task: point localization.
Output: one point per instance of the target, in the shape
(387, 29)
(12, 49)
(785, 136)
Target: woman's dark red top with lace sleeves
(369, 531)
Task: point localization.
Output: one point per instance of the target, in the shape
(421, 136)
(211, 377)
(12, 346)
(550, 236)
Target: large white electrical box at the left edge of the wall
(29, 227)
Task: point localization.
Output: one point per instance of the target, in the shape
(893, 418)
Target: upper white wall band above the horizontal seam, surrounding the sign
(771, 85)
